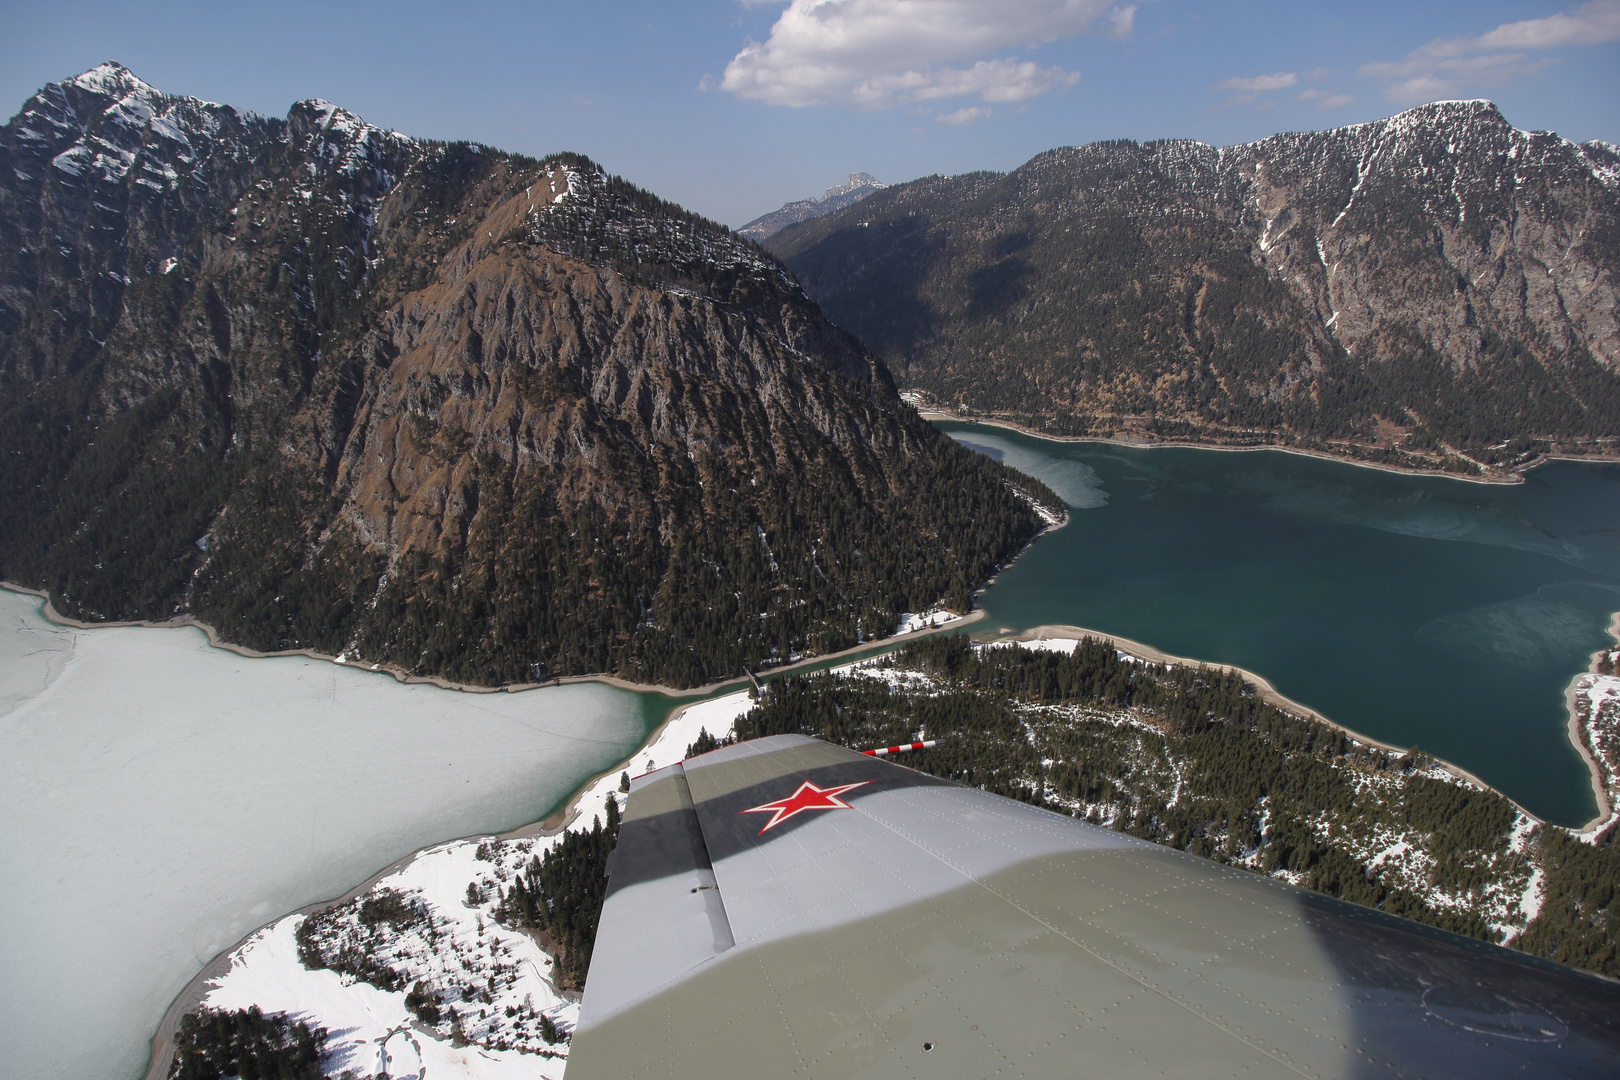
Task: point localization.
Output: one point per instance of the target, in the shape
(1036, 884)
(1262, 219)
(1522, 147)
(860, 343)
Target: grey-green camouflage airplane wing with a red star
(791, 909)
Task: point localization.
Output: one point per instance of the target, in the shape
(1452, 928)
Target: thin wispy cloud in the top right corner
(1449, 66)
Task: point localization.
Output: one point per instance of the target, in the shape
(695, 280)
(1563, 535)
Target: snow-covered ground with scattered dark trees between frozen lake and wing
(500, 980)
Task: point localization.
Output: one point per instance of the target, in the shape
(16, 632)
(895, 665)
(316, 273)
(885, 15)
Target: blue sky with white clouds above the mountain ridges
(733, 108)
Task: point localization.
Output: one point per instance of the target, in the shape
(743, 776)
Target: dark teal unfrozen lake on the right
(1417, 610)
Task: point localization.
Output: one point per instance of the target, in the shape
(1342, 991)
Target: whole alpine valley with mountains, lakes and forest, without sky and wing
(501, 480)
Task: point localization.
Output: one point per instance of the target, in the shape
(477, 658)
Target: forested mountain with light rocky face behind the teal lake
(1438, 279)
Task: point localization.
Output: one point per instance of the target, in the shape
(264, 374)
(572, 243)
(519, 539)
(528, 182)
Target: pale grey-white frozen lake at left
(163, 799)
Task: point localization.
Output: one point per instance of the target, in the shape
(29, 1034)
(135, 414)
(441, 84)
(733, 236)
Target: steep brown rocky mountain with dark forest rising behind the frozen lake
(441, 407)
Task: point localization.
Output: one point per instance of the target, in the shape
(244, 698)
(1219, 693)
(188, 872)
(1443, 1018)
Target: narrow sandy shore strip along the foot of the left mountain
(924, 629)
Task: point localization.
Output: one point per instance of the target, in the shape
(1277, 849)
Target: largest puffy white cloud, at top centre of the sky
(877, 54)
